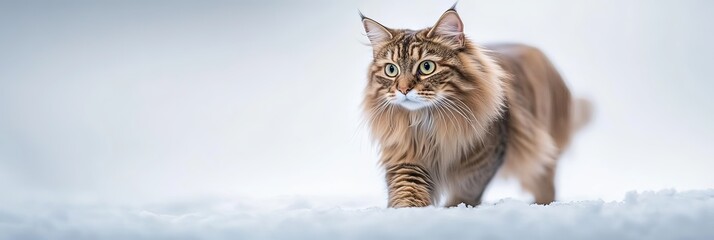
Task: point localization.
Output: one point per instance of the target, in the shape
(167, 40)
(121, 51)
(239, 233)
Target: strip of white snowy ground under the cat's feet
(646, 215)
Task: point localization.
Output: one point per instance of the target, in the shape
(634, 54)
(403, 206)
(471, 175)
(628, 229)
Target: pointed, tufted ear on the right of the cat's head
(450, 28)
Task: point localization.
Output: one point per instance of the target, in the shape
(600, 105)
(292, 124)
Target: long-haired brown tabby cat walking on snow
(448, 114)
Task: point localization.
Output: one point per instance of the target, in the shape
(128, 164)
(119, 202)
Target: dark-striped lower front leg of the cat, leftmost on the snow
(410, 185)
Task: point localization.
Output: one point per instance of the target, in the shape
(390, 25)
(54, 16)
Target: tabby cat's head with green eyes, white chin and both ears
(427, 68)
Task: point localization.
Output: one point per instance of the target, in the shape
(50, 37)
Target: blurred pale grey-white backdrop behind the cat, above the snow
(133, 101)
